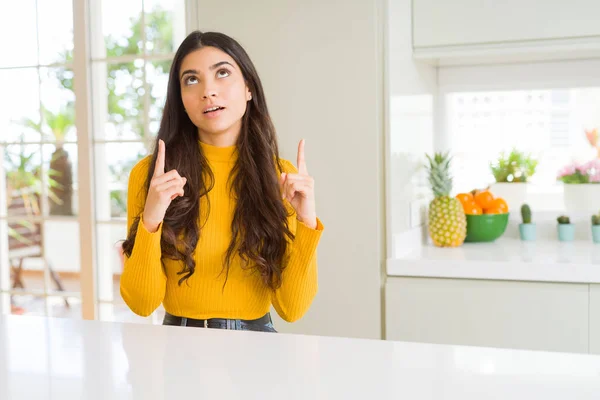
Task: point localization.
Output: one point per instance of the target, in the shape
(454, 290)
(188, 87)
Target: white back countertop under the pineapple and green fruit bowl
(505, 259)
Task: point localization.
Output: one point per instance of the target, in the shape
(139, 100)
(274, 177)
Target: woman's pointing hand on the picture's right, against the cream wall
(299, 190)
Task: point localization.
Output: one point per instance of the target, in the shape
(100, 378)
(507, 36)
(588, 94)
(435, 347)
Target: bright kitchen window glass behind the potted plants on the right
(549, 124)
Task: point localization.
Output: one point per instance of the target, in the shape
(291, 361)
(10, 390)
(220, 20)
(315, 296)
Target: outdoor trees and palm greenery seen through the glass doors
(126, 90)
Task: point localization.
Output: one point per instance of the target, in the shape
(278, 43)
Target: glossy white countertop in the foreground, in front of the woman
(66, 359)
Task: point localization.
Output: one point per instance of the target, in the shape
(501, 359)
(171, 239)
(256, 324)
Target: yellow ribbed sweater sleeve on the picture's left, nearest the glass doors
(143, 282)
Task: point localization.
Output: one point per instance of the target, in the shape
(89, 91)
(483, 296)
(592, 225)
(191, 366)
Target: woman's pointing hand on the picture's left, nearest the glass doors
(164, 188)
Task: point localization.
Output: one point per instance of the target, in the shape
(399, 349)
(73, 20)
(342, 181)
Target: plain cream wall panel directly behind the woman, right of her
(321, 66)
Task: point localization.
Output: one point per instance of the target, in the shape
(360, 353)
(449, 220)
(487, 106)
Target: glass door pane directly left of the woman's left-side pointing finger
(114, 161)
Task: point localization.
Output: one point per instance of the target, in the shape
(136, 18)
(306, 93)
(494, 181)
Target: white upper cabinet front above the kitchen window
(469, 22)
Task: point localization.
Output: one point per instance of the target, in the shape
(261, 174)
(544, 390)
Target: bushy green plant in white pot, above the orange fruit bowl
(511, 172)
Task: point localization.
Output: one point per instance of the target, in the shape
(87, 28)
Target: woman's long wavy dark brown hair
(260, 230)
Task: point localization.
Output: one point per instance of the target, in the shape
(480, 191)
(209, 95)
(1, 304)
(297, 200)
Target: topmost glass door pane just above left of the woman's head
(165, 25)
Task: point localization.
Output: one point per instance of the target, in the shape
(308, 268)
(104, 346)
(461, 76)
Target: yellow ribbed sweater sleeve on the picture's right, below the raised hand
(299, 278)
